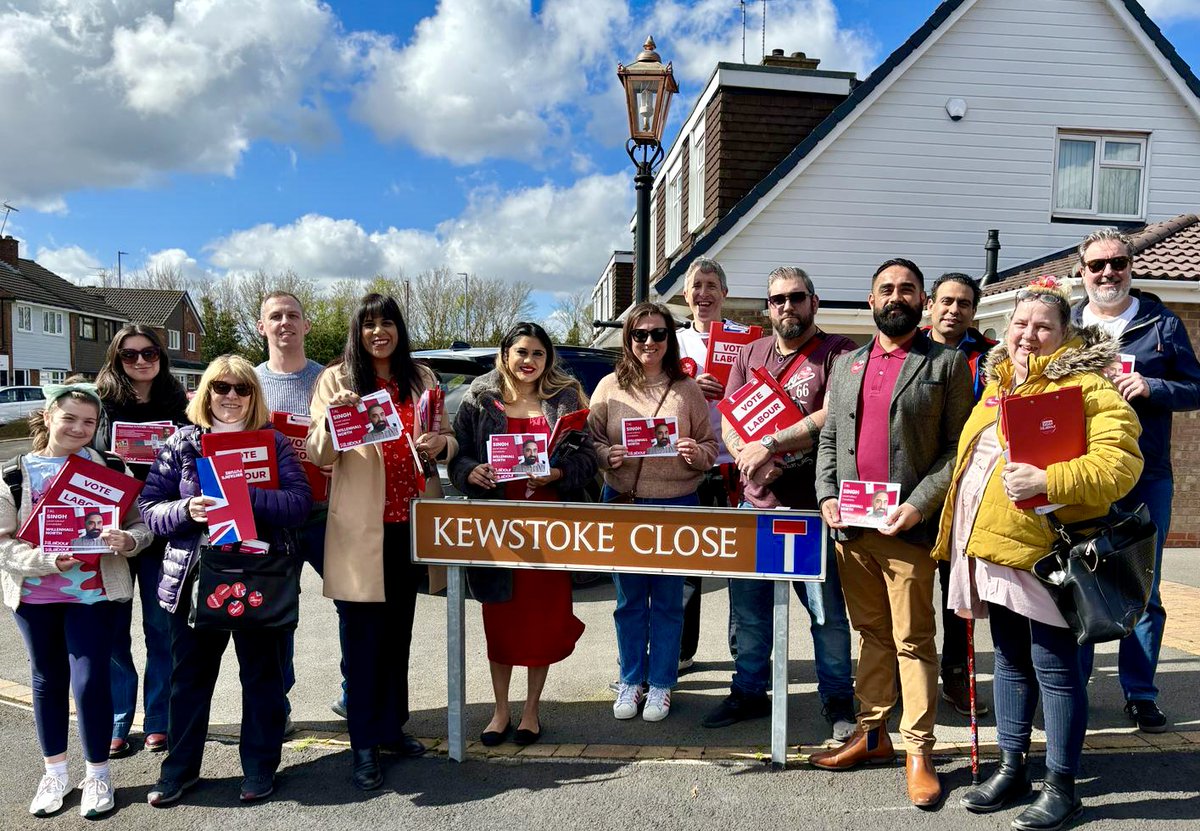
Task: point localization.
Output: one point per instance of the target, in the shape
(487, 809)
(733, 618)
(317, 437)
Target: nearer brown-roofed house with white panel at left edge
(50, 328)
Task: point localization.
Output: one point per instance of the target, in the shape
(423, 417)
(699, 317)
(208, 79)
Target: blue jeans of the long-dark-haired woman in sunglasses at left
(157, 631)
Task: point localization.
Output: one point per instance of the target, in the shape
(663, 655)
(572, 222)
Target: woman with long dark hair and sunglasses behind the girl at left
(136, 386)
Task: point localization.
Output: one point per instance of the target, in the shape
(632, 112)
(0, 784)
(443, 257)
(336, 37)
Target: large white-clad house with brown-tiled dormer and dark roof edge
(1040, 119)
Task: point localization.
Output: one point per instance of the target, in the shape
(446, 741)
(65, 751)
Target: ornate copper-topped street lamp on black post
(649, 91)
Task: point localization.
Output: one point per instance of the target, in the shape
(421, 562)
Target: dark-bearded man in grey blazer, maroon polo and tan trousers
(895, 414)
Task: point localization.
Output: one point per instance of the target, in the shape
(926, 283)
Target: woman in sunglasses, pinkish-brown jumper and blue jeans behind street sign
(650, 382)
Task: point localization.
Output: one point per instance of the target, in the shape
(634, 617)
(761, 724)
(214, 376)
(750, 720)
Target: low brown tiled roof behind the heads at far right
(1168, 250)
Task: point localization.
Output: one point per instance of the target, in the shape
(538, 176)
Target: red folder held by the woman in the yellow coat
(1045, 429)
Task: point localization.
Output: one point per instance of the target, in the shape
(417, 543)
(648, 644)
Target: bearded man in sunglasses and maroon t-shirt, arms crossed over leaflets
(778, 471)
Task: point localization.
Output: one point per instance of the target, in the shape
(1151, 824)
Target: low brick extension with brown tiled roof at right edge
(1167, 265)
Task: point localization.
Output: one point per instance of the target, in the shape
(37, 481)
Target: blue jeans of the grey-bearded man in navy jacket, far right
(1138, 656)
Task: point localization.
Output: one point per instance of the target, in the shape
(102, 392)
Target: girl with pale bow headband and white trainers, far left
(65, 607)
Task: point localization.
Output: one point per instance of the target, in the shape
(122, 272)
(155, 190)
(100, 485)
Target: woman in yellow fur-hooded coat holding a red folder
(993, 545)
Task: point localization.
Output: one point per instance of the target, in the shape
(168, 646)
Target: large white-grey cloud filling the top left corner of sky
(101, 94)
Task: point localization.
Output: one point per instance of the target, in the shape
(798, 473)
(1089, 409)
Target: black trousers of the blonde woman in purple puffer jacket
(196, 662)
